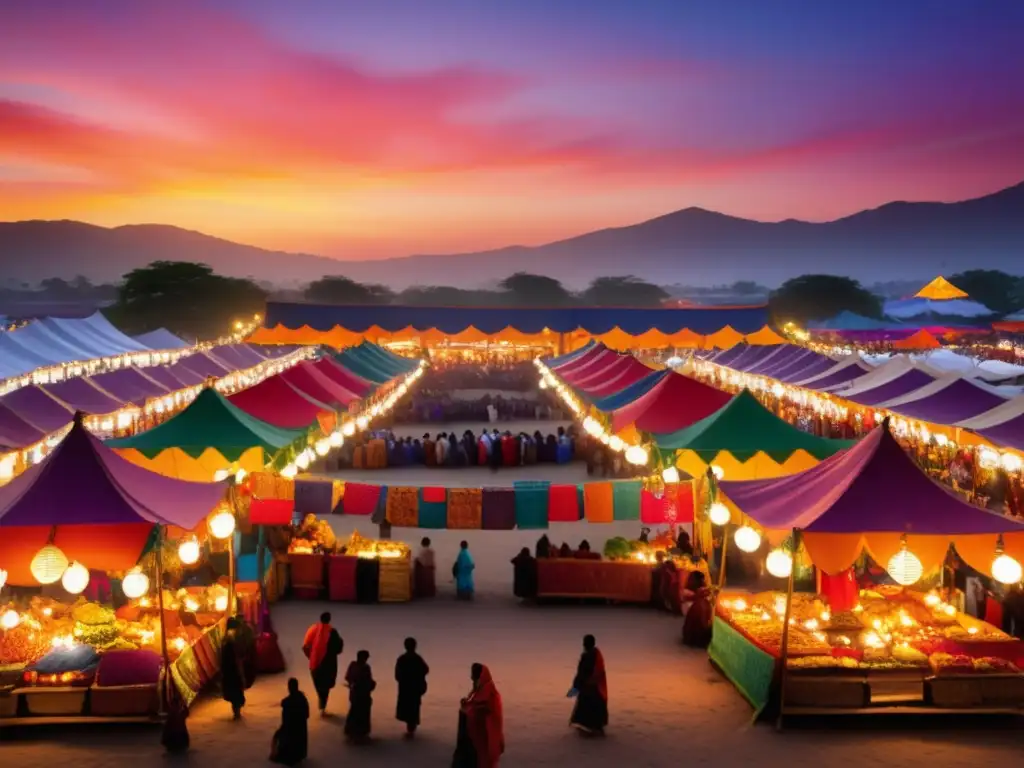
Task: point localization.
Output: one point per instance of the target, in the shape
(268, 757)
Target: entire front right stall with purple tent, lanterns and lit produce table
(890, 649)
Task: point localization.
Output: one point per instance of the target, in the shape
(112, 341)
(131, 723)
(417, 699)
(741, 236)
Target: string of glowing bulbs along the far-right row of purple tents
(824, 405)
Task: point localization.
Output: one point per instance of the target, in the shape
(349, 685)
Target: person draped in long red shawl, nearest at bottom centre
(482, 737)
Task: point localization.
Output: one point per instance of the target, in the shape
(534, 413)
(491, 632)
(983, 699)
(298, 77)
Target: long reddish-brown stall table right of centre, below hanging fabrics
(608, 580)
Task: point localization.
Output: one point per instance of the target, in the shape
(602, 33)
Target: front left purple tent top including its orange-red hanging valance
(98, 507)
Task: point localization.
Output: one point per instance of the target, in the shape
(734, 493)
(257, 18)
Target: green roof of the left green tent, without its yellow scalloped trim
(210, 421)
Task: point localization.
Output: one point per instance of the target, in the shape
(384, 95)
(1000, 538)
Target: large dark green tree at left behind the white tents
(185, 297)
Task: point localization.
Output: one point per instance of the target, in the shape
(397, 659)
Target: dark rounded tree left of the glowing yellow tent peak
(812, 297)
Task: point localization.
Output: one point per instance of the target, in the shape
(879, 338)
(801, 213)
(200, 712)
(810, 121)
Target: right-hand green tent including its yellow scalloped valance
(748, 442)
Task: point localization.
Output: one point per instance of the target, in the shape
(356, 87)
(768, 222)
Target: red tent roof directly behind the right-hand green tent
(674, 403)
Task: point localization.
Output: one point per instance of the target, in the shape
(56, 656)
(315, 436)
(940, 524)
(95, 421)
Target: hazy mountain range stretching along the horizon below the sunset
(897, 242)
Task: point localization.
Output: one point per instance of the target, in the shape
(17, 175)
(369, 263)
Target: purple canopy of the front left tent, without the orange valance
(83, 483)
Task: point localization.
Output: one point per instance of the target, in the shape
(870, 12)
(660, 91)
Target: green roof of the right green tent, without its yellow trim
(744, 428)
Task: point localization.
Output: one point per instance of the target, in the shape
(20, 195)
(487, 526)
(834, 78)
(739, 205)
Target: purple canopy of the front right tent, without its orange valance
(874, 487)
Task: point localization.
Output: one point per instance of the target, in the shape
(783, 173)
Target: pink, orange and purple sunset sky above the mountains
(389, 127)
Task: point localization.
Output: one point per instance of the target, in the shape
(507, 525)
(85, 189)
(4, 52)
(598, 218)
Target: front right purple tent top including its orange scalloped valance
(868, 498)
